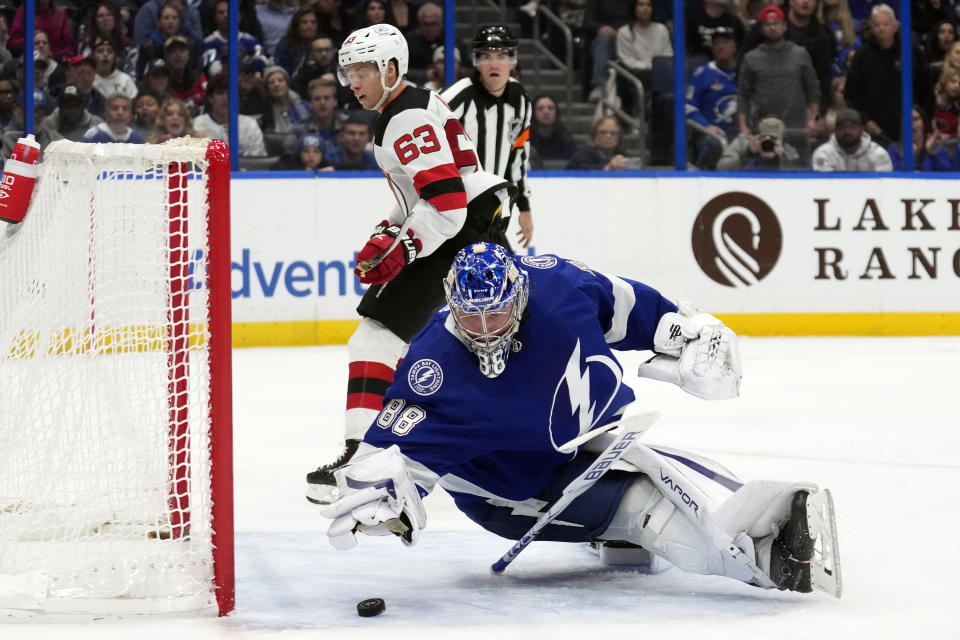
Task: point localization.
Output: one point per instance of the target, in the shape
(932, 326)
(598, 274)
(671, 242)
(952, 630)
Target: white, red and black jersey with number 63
(422, 150)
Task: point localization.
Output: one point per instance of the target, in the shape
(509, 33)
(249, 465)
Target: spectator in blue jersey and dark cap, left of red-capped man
(712, 101)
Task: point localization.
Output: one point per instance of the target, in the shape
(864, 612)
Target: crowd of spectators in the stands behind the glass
(771, 84)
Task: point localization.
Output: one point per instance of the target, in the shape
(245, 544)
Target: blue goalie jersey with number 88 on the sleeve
(497, 440)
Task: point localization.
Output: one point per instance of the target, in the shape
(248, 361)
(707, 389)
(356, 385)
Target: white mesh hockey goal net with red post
(115, 416)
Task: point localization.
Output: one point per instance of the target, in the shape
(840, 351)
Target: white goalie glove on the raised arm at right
(697, 352)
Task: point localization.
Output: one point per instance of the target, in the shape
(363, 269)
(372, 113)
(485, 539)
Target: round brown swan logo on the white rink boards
(737, 239)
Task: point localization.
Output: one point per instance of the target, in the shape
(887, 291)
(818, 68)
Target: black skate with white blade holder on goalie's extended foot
(805, 555)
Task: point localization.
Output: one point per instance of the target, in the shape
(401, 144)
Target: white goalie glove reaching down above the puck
(378, 497)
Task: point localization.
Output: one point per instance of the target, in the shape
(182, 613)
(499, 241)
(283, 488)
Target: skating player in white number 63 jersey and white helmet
(445, 201)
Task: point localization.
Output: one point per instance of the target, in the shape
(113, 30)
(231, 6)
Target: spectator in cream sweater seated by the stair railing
(638, 43)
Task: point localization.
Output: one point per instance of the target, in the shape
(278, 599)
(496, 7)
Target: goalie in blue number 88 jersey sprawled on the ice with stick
(497, 401)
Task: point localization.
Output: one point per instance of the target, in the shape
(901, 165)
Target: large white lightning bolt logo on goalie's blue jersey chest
(585, 390)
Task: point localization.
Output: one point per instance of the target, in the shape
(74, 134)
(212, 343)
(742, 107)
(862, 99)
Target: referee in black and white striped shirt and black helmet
(495, 112)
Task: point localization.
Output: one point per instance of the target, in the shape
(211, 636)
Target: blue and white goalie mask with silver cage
(487, 294)
